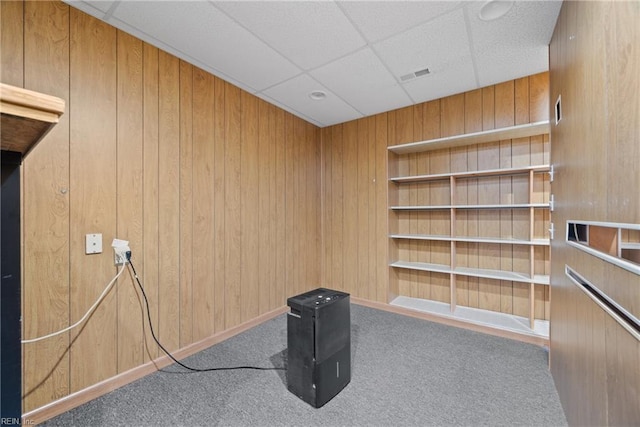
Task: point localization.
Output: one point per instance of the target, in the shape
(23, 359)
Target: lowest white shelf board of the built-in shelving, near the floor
(492, 319)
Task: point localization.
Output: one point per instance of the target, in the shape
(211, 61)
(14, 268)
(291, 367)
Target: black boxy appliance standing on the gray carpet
(319, 345)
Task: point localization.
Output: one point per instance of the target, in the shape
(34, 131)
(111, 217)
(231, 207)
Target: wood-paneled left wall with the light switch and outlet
(217, 192)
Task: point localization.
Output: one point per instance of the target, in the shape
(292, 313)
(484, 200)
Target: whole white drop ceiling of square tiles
(363, 54)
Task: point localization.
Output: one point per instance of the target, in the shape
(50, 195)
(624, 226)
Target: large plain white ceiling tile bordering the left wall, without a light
(210, 36)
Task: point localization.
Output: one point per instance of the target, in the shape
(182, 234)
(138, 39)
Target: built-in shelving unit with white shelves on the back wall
(529, 206)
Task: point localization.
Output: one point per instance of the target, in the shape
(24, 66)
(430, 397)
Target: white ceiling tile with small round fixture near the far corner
(295, 94)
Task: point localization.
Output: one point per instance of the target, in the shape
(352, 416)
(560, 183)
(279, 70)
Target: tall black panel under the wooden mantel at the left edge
(10, 369)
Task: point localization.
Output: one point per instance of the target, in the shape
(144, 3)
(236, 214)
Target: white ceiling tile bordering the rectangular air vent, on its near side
(433, 45)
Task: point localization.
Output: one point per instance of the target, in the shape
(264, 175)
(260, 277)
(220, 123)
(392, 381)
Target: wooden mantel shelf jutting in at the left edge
(26, 117)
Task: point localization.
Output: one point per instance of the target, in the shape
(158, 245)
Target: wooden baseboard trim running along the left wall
(76, 399)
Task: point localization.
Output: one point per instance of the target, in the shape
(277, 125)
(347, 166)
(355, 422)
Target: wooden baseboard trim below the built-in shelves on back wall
(540, 341)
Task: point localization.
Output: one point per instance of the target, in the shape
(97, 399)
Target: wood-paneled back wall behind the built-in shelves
(355, 210)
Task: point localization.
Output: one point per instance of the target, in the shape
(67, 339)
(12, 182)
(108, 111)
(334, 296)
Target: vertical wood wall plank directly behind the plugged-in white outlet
(130, 191)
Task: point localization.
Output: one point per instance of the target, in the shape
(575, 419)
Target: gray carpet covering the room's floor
(405, 372)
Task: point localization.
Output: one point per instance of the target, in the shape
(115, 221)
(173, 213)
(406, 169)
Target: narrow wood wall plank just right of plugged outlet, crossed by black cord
(149, 269)
